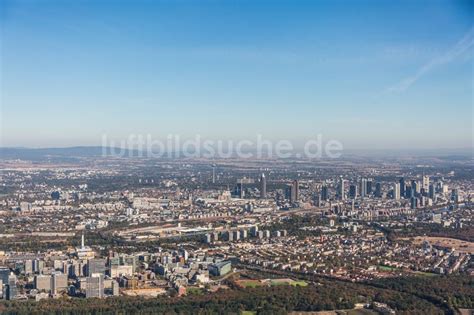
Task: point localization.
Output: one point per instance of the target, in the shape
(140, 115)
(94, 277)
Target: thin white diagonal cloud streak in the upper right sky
(452, 54)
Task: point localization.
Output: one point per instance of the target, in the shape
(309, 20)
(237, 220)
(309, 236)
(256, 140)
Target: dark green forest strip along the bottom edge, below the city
(414, 295)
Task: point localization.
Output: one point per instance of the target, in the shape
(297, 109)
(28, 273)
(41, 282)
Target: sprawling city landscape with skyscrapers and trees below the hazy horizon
(355, 235)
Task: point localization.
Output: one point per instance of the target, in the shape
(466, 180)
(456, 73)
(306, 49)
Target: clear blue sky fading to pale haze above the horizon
(371, 74)
